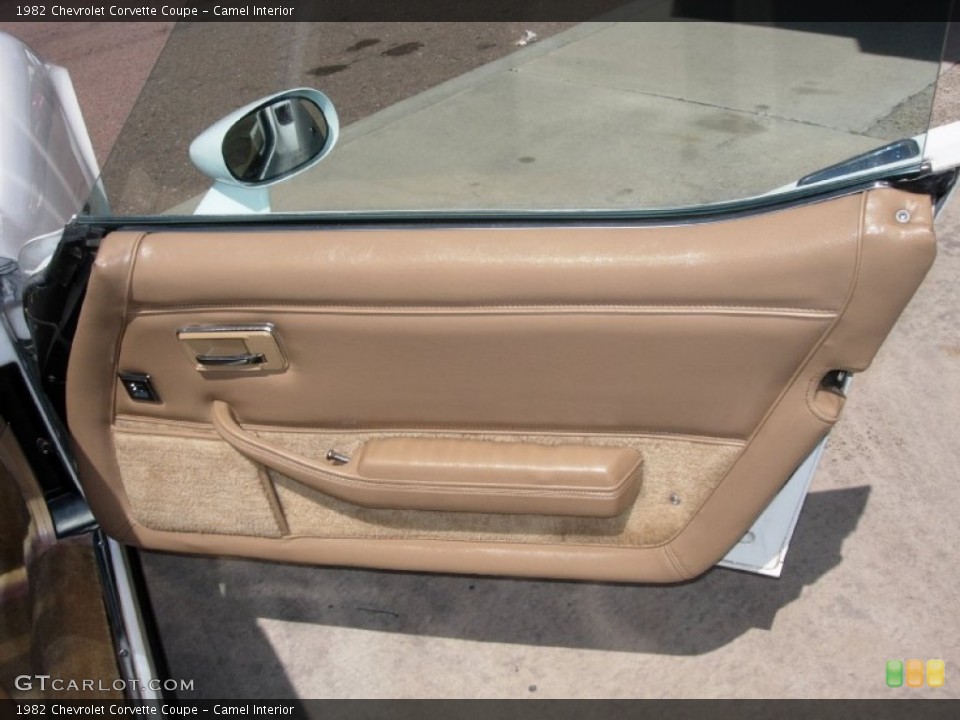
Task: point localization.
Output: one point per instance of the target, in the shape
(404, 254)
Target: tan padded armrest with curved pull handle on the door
(459, 475)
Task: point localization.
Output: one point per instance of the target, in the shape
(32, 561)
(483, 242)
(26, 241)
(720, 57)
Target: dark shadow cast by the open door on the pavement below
(208, 608)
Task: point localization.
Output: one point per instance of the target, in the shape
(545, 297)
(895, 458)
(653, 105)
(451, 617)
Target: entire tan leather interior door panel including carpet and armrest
(589, 402)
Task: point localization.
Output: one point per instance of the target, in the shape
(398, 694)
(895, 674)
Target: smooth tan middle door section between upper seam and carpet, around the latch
(716, 374)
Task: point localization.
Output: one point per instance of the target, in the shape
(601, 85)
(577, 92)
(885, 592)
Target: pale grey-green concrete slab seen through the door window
(627, 115)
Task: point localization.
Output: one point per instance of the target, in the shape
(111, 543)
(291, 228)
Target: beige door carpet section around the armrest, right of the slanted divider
(682, 468)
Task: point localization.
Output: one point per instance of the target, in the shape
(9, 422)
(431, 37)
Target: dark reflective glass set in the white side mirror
(274, 140)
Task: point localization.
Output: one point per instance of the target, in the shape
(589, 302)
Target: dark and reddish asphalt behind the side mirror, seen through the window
(363, 67)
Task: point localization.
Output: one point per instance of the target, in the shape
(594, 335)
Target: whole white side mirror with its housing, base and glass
(262, 144)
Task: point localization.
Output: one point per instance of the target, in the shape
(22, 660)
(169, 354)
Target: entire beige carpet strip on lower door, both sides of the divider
(197, 483)
